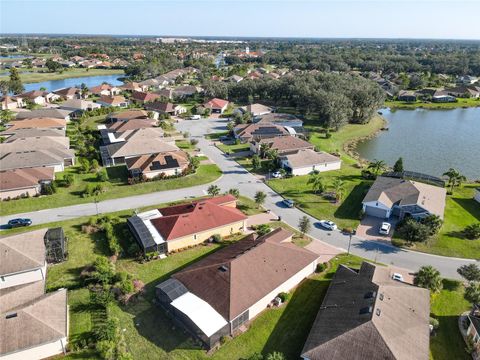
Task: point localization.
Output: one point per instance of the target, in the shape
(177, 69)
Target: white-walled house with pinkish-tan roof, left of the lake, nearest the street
(306, 161)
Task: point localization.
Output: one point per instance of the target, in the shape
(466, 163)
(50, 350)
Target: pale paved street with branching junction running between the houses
(235, 176)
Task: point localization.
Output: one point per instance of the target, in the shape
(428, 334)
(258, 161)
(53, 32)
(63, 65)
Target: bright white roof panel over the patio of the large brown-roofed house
(200, 312)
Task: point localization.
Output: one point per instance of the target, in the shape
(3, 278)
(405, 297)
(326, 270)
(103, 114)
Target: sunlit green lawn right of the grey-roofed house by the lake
(460, 210)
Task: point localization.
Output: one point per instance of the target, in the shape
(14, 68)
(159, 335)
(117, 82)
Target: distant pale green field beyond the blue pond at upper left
(40, 75)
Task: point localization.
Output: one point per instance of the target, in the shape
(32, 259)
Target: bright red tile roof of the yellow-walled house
(187, 219)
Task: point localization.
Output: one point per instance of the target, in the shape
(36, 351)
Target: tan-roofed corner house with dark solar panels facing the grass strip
(158, 165)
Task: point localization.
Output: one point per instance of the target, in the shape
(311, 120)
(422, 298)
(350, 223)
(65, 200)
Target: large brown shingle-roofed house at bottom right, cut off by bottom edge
(366, 315)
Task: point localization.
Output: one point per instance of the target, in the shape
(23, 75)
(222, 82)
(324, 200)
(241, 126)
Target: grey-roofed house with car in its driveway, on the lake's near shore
(390, 196)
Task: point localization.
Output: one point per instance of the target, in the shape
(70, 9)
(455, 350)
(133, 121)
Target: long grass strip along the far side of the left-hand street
(116, 187)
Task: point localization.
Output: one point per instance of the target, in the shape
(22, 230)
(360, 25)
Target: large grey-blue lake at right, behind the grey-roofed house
(430, 141)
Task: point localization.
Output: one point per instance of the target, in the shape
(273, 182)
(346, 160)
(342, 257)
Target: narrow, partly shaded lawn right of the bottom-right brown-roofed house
(446, 307)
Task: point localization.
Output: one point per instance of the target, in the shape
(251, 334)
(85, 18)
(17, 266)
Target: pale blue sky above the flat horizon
(284, 18)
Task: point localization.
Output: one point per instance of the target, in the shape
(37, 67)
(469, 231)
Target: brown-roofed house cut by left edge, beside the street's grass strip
(24, 182)
